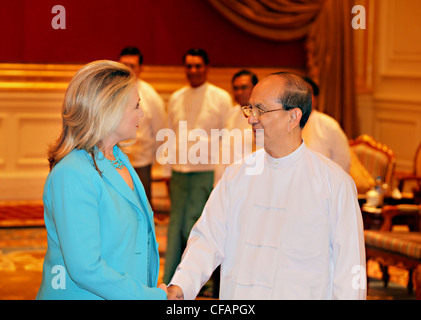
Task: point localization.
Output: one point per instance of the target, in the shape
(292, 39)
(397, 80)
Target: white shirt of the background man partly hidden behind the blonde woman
(143, 151)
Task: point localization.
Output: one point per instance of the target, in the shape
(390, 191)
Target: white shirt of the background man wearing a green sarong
(192, 114)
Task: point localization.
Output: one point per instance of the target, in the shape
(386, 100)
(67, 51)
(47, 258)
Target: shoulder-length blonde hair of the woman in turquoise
(93, 106)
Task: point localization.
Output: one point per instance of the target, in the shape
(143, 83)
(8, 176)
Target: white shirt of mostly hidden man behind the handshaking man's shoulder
(324, 135)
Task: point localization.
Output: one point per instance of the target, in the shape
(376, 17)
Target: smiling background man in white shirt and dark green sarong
(198, 107)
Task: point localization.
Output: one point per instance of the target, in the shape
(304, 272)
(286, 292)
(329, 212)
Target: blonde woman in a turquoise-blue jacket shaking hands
(101, 233)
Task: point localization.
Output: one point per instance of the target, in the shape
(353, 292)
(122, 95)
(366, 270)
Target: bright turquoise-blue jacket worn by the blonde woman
(101, 233)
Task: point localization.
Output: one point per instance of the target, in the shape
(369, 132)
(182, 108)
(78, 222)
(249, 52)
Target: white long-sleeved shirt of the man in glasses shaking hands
(294, 231)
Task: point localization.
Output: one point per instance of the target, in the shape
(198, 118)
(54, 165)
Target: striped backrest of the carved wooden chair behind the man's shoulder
(378, 159)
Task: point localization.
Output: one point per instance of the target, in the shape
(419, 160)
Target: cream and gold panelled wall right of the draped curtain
(397, 78)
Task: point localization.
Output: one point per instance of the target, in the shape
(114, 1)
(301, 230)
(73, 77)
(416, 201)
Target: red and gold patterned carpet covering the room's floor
(23, 242)
